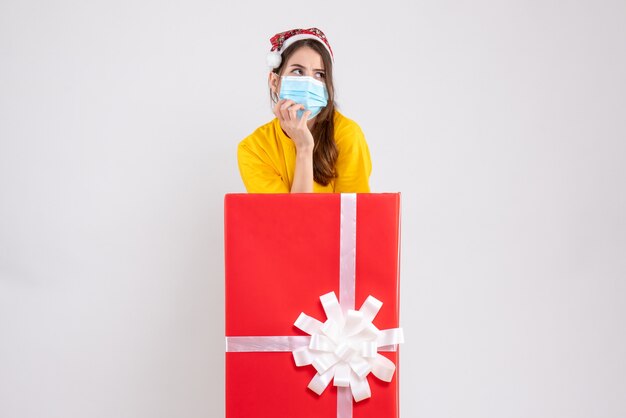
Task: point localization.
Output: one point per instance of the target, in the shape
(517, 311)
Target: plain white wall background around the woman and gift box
(503, 123)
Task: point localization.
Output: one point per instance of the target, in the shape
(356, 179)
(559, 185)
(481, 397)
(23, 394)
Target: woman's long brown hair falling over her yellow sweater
(325, 150)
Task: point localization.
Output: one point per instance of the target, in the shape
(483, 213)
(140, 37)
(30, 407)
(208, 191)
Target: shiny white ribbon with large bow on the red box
(345, 348)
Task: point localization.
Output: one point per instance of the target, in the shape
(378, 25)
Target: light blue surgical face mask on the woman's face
(306, 91)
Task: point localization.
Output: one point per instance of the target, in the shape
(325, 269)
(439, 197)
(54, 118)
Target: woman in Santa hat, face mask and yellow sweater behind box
(309, 146)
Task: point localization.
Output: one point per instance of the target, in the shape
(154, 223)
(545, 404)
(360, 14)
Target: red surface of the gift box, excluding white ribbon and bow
(283, 252)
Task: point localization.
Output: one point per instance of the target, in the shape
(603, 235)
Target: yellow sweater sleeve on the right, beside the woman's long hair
(354, 164)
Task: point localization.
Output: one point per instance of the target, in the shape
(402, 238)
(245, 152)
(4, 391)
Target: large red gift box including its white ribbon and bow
(312, 305)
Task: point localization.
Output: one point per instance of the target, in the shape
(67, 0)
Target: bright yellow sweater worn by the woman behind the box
(267, 160)
